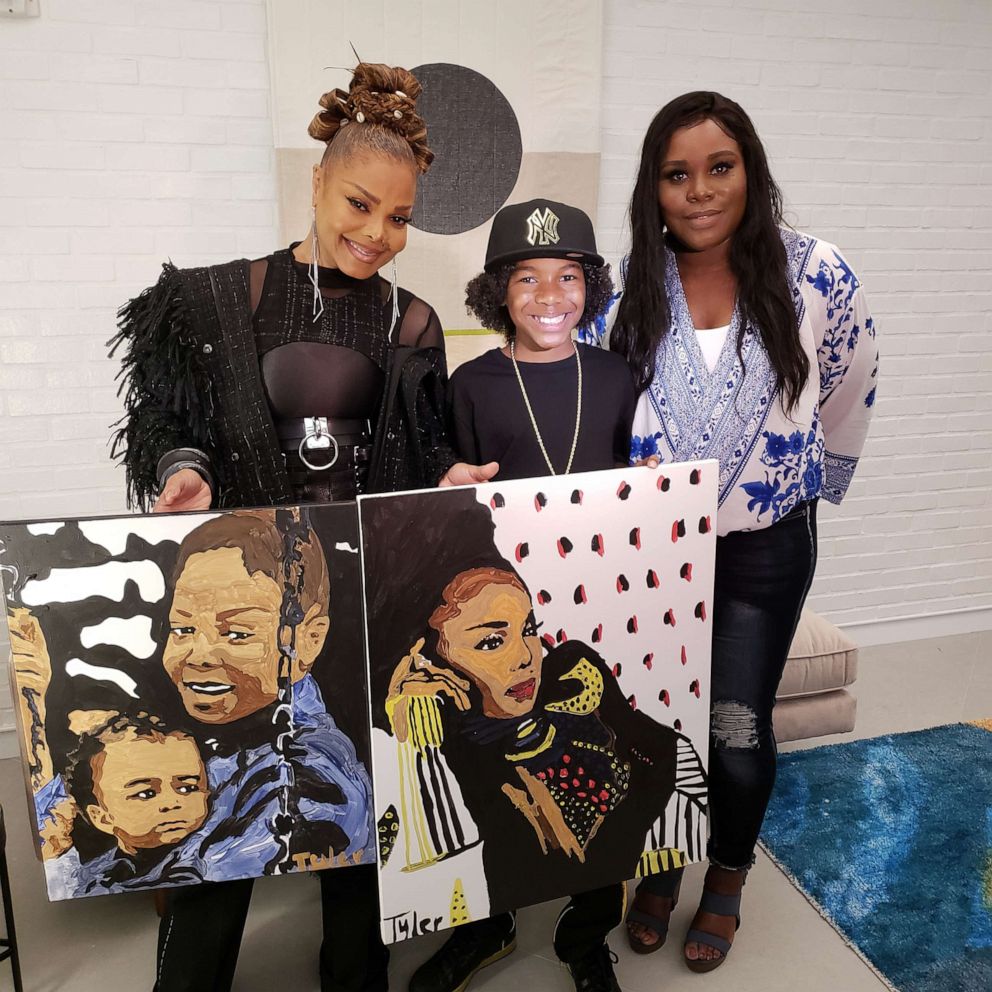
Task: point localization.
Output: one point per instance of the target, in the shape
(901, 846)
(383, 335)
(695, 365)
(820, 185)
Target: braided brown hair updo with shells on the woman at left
(378, 108)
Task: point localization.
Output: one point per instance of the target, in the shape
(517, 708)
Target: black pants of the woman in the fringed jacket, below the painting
(200, 934)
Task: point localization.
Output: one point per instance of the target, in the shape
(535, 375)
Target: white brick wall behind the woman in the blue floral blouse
(877, 117)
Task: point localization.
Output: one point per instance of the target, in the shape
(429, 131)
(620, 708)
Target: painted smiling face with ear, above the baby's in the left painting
(222, 651)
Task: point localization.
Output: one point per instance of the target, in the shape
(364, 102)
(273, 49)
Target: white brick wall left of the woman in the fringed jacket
(130, 132)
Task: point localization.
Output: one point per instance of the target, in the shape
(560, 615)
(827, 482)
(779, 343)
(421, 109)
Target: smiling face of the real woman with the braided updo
(363, 207)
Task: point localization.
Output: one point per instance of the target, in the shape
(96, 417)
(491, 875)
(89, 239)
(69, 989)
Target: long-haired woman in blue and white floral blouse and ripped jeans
(753, 345)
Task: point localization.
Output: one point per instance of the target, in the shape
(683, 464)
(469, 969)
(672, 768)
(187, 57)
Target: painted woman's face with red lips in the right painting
(493, 640)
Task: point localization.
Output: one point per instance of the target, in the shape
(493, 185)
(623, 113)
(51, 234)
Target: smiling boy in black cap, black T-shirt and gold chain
(540, 405)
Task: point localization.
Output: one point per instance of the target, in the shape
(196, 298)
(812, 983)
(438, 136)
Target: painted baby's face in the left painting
(150, 791)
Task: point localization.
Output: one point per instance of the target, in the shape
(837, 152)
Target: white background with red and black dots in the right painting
(660, 514)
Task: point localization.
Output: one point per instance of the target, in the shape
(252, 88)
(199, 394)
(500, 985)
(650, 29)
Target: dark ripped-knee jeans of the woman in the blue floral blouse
(762, 578)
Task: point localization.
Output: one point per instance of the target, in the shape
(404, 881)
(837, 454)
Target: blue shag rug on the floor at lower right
(891, 840)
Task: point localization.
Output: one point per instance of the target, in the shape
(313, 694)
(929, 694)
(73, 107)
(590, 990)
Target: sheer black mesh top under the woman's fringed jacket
(334, 366)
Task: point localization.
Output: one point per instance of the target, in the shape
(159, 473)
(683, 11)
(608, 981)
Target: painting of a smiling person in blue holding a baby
(190, 694)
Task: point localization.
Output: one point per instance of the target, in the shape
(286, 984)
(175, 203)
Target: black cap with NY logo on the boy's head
(541, 229)
